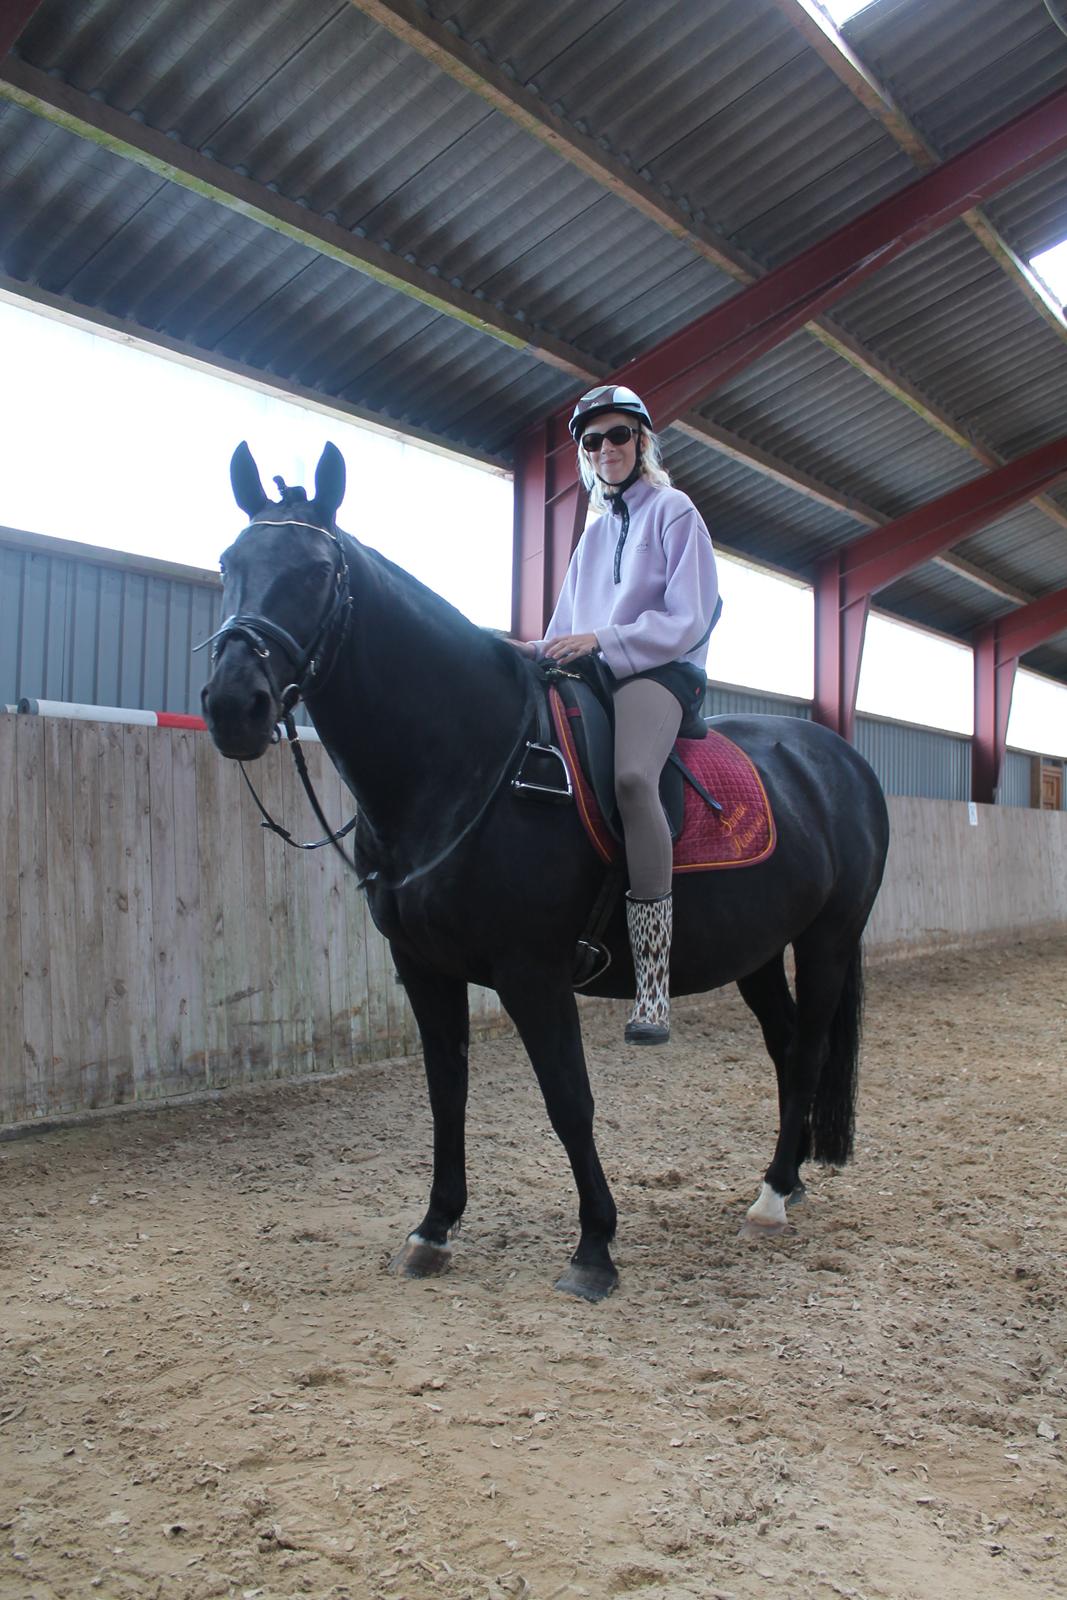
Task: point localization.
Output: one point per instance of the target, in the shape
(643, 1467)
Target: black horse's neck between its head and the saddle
(422, 708)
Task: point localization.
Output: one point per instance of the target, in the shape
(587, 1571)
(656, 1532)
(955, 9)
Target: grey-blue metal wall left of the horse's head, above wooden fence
(102, 628)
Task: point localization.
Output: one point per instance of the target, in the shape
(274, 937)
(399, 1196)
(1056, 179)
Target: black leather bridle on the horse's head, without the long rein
(310, 670)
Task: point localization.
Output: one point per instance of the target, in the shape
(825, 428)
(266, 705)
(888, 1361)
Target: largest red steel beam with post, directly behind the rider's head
(692, 364)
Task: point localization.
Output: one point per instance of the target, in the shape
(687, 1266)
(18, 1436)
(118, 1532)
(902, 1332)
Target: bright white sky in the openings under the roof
(108, 444)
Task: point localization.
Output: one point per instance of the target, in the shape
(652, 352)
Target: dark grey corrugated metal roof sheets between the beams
(721, 106)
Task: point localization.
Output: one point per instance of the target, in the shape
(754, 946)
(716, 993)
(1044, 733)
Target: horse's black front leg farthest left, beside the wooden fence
(441, 1010)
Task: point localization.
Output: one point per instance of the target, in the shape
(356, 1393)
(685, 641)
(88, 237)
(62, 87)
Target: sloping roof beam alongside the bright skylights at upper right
(831, 46)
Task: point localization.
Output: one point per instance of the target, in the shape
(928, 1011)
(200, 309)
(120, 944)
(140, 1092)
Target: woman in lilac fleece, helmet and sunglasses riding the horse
(642, 593)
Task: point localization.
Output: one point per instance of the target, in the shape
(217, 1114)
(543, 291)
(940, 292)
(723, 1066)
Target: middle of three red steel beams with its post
(850, 577)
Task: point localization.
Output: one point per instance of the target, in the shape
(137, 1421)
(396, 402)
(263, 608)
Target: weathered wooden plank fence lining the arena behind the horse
(158, 942)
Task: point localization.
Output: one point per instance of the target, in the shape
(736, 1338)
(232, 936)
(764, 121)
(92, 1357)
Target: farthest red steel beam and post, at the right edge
(997, 650)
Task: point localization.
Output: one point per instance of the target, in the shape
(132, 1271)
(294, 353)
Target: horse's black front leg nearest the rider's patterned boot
(545, 1012)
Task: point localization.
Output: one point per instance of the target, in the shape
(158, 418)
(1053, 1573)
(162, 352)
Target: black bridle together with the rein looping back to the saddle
(252, 628)
